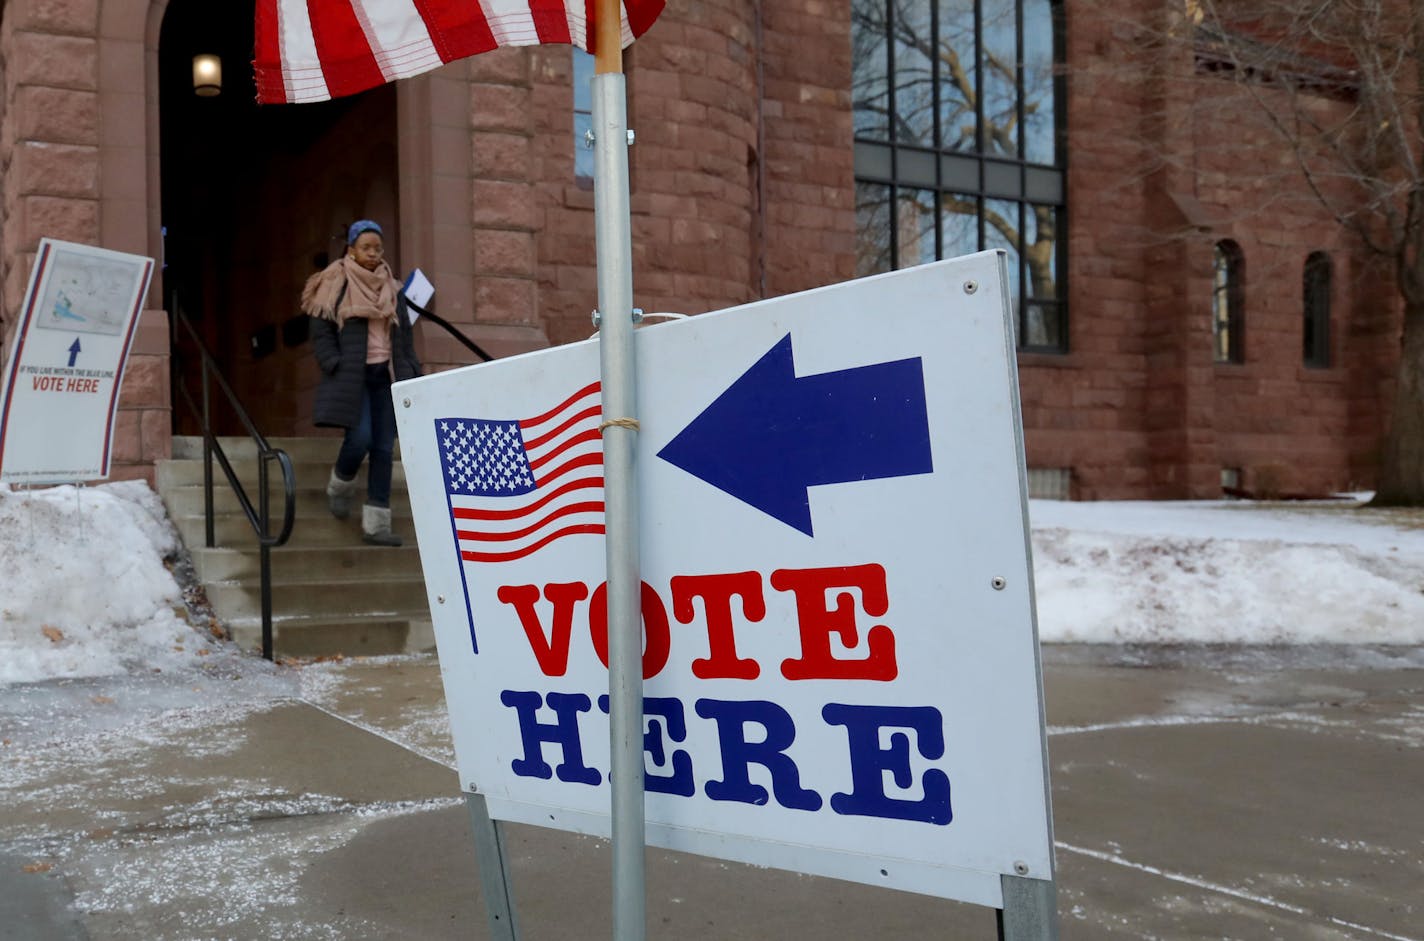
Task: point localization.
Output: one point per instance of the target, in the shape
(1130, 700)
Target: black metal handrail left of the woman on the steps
(260, 517)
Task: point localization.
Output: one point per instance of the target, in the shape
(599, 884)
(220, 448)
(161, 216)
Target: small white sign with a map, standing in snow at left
(68, 364)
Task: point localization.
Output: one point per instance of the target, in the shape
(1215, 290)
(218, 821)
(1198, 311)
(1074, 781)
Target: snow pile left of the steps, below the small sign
(85, 587)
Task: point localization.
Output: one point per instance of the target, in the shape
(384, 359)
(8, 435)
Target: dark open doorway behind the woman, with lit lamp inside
(254, 200)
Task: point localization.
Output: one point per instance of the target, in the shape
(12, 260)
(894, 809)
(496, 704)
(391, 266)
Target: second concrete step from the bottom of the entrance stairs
(236, 601)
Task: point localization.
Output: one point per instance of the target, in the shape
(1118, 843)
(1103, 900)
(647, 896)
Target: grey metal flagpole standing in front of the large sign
(620, 428)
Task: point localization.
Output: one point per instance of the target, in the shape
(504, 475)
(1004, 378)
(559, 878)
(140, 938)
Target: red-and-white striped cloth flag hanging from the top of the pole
(313, 51)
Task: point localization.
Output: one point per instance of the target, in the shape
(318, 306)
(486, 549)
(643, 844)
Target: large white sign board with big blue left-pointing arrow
(841, 657)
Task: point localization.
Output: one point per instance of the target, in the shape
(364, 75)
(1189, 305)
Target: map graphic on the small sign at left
(88, 295)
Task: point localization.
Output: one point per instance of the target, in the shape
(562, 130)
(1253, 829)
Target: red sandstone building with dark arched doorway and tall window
(1185, 315)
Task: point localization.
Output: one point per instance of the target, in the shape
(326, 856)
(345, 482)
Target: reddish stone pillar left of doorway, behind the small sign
(70, 142)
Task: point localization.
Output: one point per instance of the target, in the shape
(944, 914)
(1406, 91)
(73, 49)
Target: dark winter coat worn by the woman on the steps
(341, 354)
